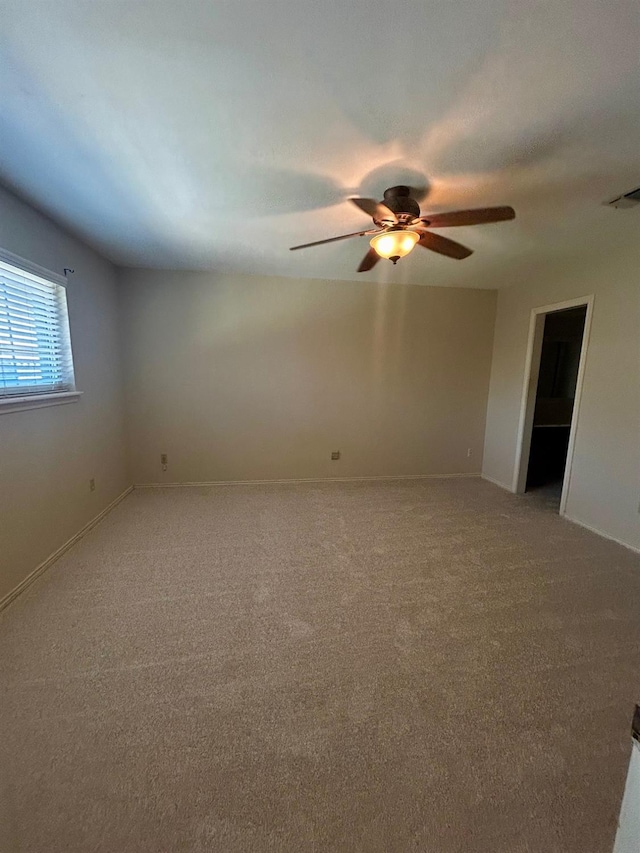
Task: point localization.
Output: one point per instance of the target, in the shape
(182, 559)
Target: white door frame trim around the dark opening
(528, 403)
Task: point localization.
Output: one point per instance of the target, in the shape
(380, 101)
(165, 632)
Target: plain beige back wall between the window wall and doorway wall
(239, 377)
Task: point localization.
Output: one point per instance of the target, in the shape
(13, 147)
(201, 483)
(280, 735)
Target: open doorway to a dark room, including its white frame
(555, 365)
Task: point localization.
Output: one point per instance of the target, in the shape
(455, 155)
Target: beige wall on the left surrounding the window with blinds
(47, 456)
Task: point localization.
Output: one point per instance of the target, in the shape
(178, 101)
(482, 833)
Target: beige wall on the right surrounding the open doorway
(605, 483)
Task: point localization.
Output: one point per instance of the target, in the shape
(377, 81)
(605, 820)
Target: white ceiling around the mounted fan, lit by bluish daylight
(217, 134)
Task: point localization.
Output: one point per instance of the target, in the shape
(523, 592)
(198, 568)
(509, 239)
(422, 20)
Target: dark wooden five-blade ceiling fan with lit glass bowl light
(399, 227)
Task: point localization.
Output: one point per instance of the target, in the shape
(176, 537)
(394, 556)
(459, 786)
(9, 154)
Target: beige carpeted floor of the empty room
(400, 666)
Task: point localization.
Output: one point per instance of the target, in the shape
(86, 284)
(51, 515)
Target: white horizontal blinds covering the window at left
(35, 346)
